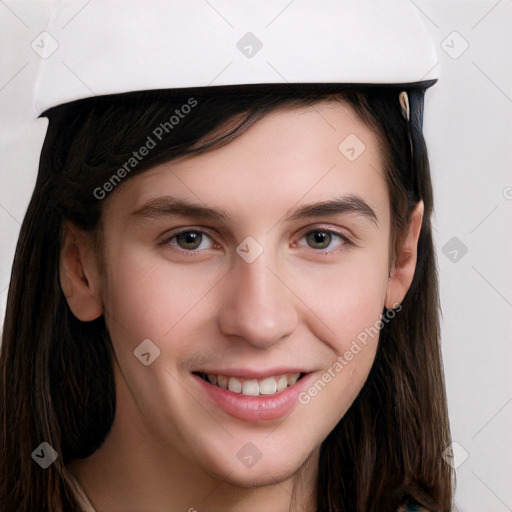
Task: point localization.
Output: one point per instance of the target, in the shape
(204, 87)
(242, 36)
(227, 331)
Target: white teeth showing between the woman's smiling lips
(252, 387)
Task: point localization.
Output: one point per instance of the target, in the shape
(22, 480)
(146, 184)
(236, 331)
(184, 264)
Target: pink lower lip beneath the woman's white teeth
(255, 408)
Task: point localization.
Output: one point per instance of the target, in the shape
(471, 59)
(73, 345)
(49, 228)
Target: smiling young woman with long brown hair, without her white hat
(225, 298)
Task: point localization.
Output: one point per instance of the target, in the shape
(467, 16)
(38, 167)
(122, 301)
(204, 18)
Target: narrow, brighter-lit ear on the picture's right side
(402, 270)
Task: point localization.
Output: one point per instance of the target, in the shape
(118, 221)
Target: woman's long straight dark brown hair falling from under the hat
(56, 373)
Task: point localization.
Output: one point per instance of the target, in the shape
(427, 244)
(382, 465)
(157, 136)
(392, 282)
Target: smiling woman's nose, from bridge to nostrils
(256, 305)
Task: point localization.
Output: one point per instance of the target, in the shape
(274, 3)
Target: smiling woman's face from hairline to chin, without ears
(246, 268)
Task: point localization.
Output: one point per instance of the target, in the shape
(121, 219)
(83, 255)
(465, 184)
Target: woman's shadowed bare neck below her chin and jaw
(133, 470)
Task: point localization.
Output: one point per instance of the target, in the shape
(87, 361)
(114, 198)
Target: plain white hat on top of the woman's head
(114, 46)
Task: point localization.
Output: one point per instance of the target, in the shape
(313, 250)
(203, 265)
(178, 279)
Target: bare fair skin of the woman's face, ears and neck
(170, 448)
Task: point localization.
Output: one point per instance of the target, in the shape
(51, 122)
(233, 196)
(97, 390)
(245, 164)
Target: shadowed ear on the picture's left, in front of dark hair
(79, 274)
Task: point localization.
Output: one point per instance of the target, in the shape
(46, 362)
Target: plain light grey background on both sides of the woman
(468, 127)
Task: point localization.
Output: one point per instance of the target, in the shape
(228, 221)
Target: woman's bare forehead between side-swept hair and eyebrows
(291, 155)
